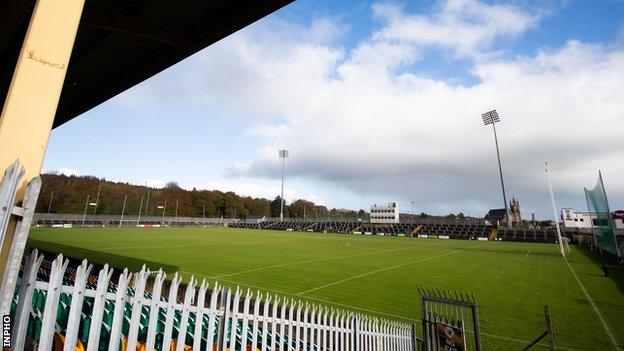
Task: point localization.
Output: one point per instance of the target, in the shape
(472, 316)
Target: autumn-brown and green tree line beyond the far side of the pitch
(69, 194)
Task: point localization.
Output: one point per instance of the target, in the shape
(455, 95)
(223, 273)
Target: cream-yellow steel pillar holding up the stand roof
(35, 90)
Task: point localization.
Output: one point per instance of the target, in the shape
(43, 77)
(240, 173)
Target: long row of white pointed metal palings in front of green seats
(214, 319)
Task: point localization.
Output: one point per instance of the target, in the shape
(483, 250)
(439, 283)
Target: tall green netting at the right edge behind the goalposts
(603, 230)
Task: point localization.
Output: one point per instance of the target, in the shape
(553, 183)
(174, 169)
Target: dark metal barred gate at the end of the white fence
(450, 320)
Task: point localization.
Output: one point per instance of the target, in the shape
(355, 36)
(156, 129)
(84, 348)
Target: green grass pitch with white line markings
(379, 275)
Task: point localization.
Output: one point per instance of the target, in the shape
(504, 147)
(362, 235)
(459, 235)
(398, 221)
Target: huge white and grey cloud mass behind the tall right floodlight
(352, 119)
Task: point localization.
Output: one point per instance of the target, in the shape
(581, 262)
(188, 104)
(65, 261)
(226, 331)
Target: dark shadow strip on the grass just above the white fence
(77, 254)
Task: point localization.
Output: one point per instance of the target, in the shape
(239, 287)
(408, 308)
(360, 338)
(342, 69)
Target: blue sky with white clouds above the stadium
(379, 102)
